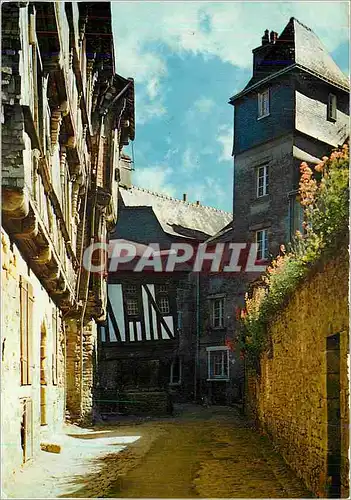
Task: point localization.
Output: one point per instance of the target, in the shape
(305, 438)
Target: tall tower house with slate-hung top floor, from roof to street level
(294, 108)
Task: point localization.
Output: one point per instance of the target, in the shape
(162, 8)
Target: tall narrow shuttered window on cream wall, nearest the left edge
(26, 330)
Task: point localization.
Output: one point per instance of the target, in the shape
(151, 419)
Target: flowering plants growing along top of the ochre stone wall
(324, 195)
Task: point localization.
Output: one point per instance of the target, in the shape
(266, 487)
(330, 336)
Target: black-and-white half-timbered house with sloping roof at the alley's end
(147, 343)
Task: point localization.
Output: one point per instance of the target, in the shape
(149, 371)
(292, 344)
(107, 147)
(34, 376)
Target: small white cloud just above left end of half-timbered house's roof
(156, 178)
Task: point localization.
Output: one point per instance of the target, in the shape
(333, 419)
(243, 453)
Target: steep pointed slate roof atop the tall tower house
(297, 46)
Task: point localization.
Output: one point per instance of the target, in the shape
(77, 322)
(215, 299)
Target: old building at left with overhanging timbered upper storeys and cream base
(65, 117)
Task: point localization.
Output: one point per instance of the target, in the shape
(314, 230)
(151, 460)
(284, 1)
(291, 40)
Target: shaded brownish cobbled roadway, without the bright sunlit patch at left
(208, 453)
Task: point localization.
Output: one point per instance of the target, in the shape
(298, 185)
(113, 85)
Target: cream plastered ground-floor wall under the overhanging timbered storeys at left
(12, 392)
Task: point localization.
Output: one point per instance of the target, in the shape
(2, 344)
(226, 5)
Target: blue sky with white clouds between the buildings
(187, 59)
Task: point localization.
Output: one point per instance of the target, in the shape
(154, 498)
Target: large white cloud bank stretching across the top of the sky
(227, 30)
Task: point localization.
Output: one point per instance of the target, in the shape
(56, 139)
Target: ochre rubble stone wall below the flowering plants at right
(294, 397)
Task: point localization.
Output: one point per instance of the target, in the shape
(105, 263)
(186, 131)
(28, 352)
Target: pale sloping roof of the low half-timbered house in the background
(176, 217)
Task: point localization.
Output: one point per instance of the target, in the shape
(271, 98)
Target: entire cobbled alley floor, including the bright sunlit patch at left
(199, 452)
